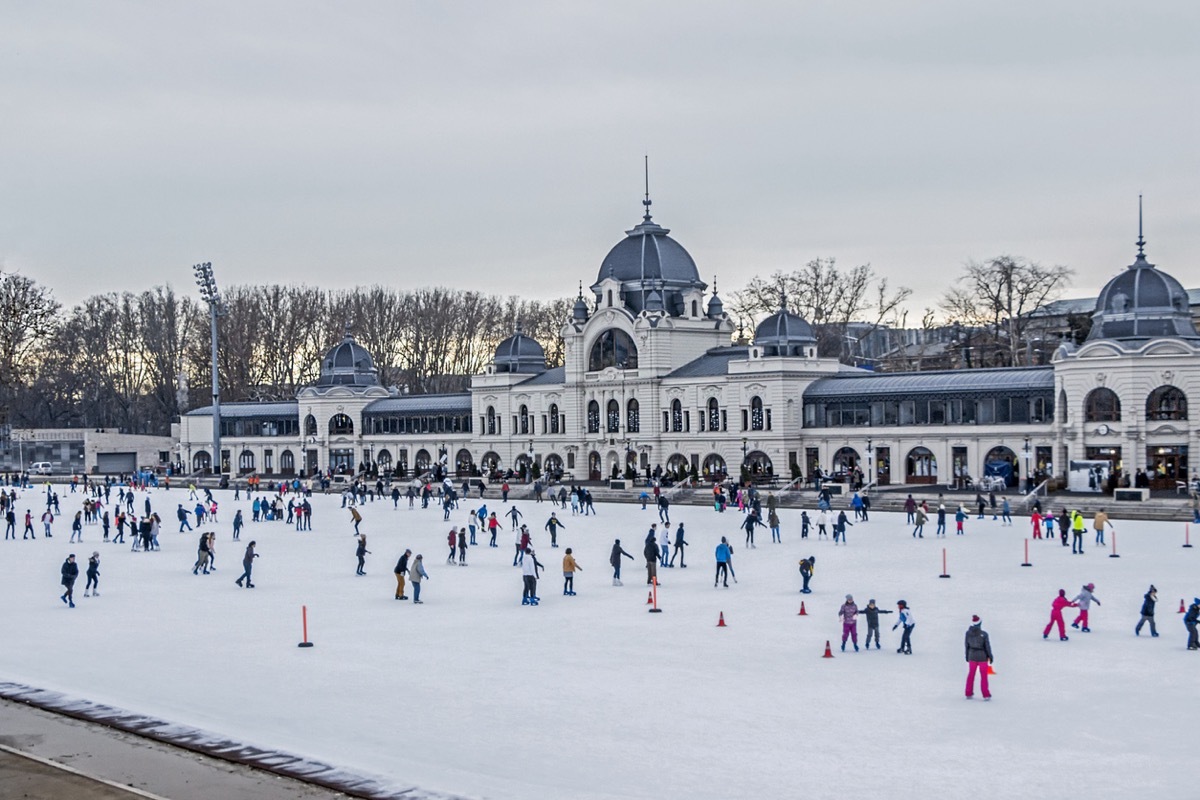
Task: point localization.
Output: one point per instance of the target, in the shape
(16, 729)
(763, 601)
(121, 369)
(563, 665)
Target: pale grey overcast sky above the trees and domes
(499, 147)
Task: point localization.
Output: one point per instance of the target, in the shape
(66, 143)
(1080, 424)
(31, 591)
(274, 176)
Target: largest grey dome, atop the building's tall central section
(649, 261)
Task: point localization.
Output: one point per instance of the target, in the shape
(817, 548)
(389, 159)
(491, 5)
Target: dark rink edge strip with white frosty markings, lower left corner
(217, 747)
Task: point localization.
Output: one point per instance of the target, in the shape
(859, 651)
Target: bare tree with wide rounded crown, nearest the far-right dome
(998, 297)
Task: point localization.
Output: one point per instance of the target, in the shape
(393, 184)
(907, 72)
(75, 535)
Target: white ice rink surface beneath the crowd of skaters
(592, 696)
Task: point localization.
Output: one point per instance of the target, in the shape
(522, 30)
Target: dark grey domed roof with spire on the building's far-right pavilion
(1142, 303)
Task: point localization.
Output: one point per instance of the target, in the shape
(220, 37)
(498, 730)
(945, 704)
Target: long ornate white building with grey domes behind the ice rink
(652, 381)
